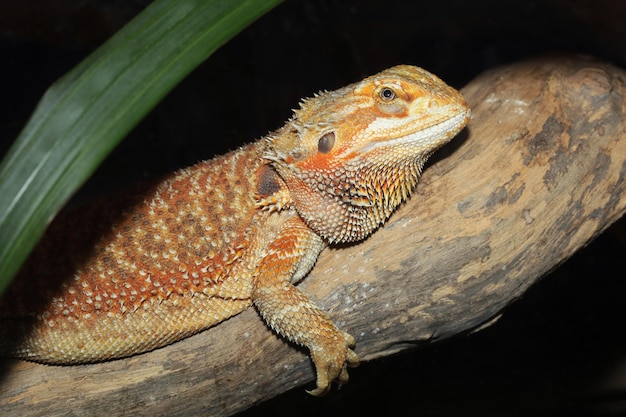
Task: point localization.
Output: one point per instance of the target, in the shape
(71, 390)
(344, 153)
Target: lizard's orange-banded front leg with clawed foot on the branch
(290, 312)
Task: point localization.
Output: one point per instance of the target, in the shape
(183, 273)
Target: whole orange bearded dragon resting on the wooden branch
(238, 230)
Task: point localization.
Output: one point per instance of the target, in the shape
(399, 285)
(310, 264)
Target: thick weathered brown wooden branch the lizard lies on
(538, 174)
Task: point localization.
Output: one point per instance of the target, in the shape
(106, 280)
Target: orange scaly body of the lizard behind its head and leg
(167, 249)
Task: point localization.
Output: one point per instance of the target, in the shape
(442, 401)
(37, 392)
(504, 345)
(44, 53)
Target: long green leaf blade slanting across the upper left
(85, 114)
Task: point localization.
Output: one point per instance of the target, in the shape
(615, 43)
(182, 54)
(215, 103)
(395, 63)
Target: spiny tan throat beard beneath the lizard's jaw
(346, 204)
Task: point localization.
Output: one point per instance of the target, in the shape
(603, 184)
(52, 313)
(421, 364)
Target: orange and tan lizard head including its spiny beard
(349, 157)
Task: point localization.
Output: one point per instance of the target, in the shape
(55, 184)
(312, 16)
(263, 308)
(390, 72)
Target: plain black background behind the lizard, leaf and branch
(558, 351)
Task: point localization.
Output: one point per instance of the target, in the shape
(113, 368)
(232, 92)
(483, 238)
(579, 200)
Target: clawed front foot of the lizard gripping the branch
(332, 362)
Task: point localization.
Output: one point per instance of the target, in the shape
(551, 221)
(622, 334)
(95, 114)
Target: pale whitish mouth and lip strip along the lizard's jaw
(430, 137)
